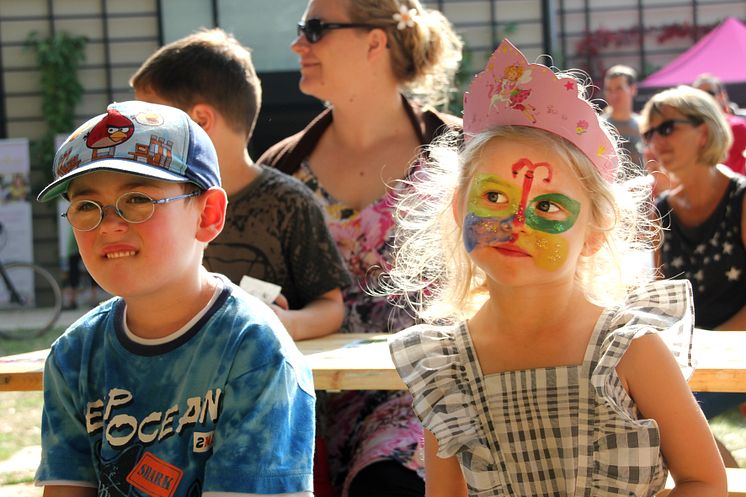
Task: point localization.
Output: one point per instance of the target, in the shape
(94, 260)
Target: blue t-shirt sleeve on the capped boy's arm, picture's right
(265, 438)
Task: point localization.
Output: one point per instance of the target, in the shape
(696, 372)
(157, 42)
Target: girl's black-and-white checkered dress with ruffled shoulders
(560, 431)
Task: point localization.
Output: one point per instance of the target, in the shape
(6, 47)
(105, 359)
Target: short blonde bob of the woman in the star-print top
(699, 106)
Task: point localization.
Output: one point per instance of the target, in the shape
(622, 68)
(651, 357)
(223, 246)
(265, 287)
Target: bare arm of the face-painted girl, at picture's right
(653, 379)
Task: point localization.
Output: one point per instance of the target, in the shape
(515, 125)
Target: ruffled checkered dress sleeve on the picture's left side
(431, 364)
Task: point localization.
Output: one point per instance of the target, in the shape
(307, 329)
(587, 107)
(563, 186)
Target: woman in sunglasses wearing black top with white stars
(705, 239)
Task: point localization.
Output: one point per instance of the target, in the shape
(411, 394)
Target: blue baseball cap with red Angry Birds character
(140, 138)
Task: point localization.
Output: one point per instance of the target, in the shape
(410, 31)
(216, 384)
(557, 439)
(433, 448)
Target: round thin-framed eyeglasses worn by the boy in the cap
(133, 207)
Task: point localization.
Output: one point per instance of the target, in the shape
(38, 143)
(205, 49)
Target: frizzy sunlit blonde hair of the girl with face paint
(434, 275)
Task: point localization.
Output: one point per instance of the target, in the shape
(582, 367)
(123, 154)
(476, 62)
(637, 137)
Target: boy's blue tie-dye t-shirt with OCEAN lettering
(227, 406)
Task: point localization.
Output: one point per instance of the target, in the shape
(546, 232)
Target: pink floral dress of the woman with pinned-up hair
(362, 427)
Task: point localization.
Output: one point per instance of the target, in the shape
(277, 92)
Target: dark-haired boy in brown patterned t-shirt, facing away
(275, 231)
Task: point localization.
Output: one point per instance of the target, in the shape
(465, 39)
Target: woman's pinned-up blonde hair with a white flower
(424, 57)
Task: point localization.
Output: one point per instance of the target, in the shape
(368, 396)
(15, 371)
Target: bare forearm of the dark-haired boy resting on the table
(320, 317)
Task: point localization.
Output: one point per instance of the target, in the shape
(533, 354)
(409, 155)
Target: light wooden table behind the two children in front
(362, 362)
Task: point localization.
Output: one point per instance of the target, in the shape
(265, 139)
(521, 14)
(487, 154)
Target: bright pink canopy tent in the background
(722, 52)
